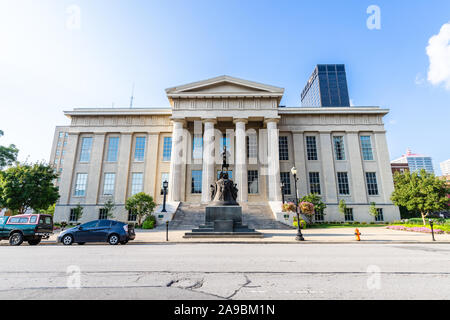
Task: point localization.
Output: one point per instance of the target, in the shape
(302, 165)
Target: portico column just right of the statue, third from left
(240, 167)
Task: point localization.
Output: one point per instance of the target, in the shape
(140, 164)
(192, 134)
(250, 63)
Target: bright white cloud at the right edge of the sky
(438, 52)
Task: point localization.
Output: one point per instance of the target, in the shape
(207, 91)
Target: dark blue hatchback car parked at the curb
(110, 231)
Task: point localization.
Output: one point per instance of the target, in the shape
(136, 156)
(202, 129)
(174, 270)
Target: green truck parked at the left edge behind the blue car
(26, 227)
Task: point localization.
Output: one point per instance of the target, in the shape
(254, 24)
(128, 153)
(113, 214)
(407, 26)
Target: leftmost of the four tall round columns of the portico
(176, 163)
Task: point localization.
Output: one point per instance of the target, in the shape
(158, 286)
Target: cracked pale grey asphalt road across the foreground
(226, 271)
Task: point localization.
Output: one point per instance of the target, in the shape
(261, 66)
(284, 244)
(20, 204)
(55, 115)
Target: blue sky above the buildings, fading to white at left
(48, 65)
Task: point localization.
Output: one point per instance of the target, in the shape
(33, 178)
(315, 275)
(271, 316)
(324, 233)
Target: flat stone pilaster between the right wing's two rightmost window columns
(358, 190)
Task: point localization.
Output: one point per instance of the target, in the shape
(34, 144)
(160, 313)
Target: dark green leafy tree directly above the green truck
(28, 186)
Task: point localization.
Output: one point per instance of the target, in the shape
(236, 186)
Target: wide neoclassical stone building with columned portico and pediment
(112, 153)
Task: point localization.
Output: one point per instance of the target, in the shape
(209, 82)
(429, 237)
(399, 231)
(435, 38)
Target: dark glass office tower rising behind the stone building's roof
(327, 87)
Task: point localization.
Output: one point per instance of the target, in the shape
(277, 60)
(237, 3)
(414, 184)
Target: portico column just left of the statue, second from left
(208, 176)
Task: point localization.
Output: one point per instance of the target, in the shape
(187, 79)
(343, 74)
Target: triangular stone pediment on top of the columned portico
(224, 85)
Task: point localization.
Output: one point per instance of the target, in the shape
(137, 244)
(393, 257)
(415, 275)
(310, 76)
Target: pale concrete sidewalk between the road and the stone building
(332, 235)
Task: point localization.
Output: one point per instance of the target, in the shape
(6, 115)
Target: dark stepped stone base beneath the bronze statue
(223, 222)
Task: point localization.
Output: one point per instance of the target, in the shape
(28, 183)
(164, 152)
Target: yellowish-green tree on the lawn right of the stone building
(420, 191)
